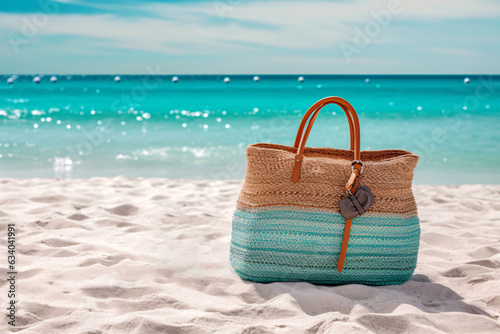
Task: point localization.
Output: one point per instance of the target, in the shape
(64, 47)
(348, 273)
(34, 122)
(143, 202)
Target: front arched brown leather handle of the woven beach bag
(314, 110)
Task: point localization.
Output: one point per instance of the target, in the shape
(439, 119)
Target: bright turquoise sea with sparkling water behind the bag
(198, 128)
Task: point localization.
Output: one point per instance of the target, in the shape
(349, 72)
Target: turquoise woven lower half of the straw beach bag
(284, 244)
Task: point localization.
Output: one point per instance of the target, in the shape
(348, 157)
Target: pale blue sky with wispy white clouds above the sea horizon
(247, 37)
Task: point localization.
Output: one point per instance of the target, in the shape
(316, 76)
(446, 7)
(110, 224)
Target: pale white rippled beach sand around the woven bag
(152, 256)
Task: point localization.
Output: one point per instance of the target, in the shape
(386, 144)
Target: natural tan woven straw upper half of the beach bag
(324, 171)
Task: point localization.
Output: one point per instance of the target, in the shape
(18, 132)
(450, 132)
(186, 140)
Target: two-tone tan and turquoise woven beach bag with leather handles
(324, 215)
